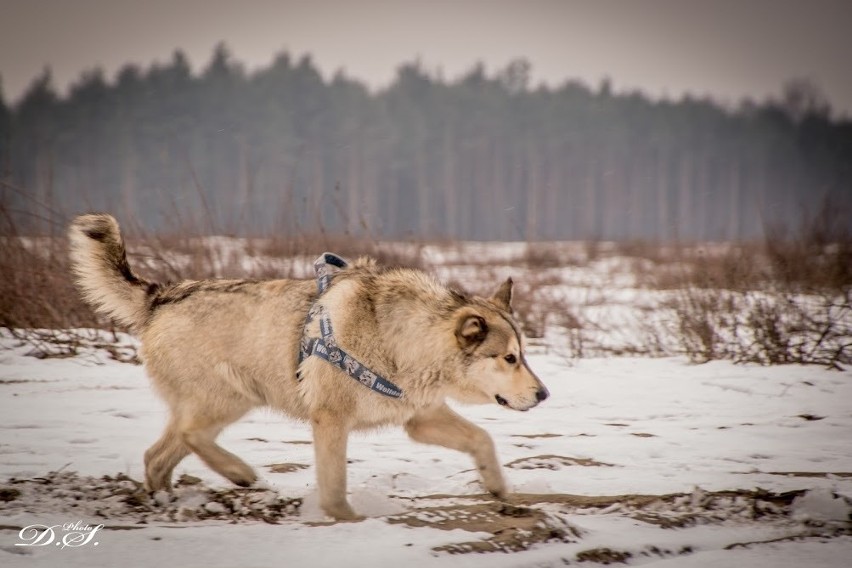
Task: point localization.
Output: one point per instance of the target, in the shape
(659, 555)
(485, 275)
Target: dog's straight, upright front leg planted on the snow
(330, 438)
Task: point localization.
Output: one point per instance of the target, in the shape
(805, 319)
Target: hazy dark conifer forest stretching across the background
(282, 151)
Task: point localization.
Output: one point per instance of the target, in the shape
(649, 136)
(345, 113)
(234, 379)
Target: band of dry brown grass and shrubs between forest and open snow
(787, 299)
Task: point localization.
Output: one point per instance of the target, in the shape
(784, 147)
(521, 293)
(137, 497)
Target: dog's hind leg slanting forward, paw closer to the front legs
(199, 432)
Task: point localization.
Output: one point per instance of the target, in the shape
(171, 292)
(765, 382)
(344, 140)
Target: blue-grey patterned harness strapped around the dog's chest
(325, 347)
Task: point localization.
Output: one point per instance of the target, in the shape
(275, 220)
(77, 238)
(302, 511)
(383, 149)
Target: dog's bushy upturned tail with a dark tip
(99, 263)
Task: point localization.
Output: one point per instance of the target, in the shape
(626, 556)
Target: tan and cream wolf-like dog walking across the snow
(215, 349)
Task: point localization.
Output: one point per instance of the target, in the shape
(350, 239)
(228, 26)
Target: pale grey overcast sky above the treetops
(726, 48)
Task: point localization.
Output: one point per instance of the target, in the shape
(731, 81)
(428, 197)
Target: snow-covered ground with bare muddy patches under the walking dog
(634, 460)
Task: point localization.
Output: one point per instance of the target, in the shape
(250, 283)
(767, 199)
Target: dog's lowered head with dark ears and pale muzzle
(494, 368)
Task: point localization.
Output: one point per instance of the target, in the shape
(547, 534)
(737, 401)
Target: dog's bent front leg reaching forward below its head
(443, 427)
